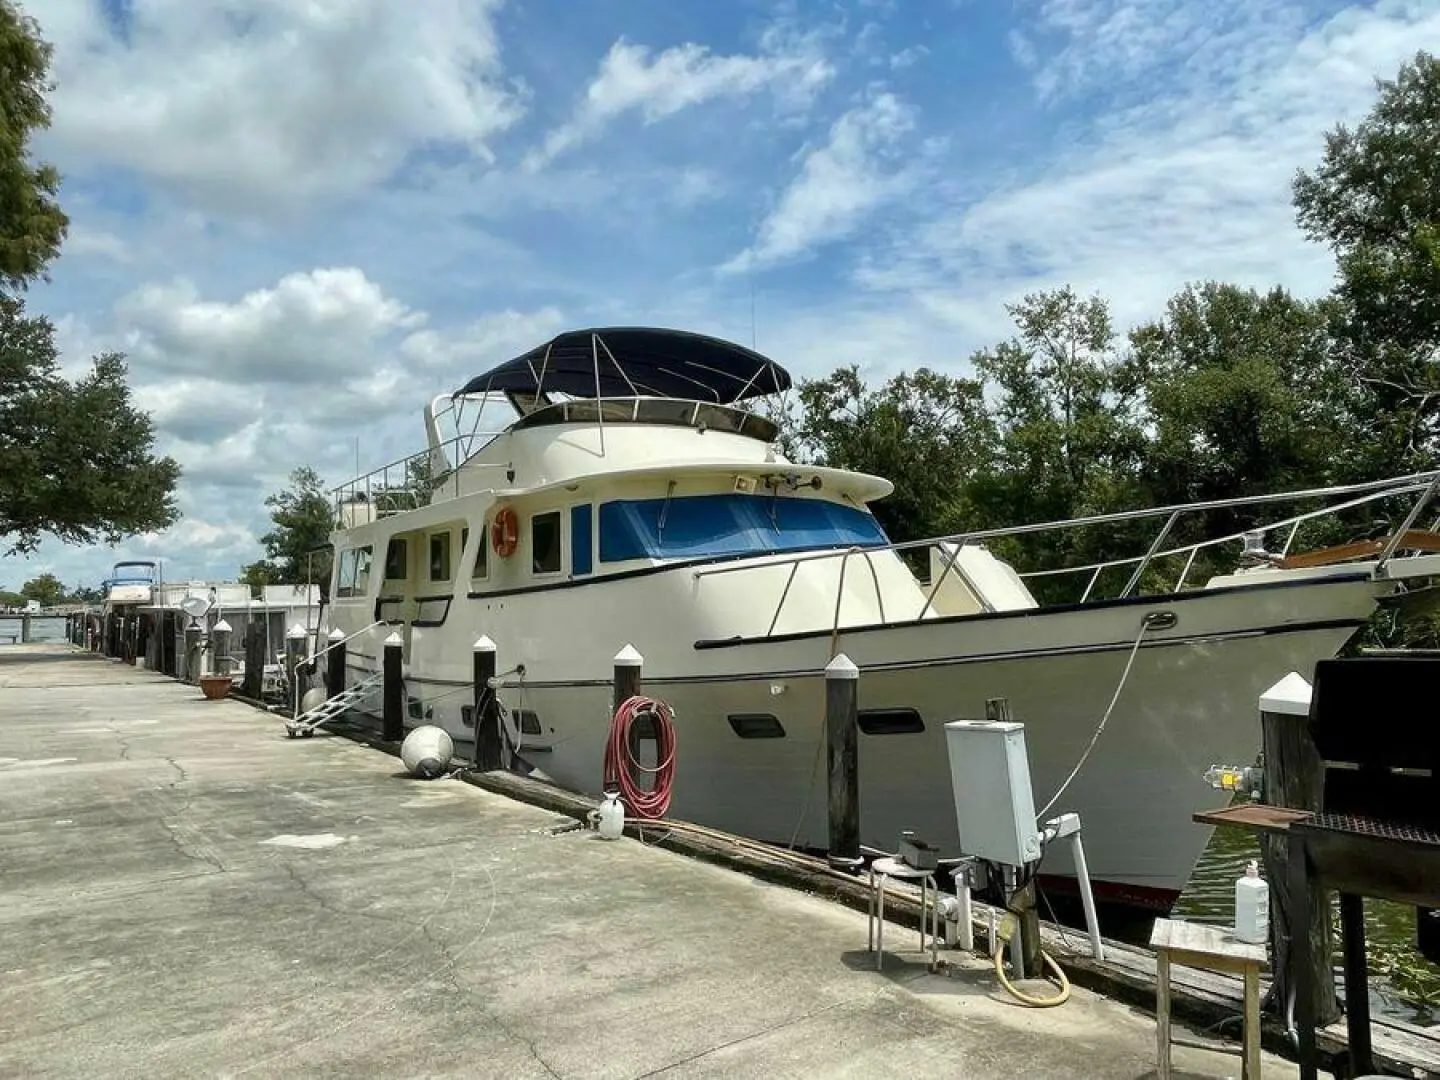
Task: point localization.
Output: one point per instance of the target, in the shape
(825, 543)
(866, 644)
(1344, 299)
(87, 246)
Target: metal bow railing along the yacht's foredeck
(1425, 486)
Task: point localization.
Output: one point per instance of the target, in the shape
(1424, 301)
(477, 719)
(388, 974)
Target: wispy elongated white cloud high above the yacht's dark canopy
(657, 87)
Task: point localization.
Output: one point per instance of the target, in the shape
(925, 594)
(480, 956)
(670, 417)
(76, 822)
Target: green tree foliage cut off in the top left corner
(32, 225)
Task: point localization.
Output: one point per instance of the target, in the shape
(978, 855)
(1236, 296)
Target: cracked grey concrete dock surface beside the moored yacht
(186, 892)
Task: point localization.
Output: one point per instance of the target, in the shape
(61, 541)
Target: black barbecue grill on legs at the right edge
(1376, 724)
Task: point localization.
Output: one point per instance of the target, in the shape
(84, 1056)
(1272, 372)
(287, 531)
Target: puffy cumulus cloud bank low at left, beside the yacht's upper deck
(296, 374)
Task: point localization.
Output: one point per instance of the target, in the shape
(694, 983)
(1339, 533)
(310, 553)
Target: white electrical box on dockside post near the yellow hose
(994, 806)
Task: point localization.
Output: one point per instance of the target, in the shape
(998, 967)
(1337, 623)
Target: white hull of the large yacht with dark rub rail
(1189, 701)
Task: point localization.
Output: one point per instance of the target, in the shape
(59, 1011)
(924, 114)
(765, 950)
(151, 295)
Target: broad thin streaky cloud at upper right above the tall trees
(1190, 185)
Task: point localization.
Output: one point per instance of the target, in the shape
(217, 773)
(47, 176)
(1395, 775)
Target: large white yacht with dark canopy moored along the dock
(633, 500)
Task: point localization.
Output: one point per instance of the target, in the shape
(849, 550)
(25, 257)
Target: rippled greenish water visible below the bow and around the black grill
(1390, 930)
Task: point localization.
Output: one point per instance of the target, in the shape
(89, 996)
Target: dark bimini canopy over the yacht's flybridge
(636, 362)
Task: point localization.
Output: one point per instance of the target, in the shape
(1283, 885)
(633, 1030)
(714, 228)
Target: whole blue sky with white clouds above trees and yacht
(305, 221)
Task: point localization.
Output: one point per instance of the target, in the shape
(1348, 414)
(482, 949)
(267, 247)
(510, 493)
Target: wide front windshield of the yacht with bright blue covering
(722, 525)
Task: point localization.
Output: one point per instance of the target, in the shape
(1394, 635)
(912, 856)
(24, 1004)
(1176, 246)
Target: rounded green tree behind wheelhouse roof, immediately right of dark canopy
(924, 431)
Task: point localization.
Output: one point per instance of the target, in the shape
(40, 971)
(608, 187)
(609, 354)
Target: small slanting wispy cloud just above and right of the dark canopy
(840, 184)
